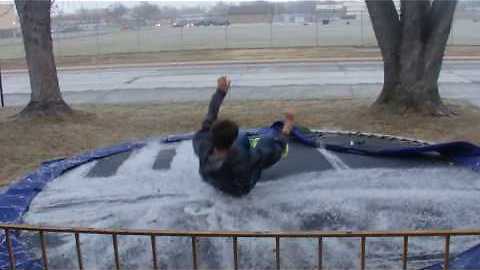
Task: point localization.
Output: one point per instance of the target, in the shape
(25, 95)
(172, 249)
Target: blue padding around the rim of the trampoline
(15, 201)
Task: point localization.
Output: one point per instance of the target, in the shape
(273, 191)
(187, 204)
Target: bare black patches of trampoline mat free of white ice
(301, 158)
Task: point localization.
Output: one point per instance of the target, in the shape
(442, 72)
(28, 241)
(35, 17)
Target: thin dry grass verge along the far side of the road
(226, 55)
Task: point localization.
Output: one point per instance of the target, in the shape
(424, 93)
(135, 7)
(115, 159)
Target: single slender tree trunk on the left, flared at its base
(46, 99)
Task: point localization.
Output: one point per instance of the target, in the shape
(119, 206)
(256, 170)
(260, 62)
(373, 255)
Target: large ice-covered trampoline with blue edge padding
(328, 181)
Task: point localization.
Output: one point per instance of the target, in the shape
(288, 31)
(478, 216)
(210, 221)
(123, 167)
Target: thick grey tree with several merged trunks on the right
(413, 45)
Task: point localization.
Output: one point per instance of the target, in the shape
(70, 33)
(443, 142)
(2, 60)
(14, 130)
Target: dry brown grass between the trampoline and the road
(25, 143)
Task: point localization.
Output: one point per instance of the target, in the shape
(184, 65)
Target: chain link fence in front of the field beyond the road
(91, 35)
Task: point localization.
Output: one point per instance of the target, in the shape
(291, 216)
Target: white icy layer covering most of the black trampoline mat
(341, 199)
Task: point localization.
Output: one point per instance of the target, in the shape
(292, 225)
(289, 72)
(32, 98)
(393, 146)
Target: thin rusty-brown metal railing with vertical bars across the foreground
(234, 236)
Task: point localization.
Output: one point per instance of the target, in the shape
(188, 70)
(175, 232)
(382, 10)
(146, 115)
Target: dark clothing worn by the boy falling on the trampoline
(237, 173)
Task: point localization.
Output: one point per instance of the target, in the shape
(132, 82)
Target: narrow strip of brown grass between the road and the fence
(212, 57)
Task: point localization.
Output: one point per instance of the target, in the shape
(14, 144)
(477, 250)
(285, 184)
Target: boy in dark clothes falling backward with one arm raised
(228, 160)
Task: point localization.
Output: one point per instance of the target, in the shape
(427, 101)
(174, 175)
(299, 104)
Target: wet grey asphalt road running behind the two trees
(459, 80)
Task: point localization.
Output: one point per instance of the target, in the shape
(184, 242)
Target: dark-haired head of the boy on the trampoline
(224, 133)
